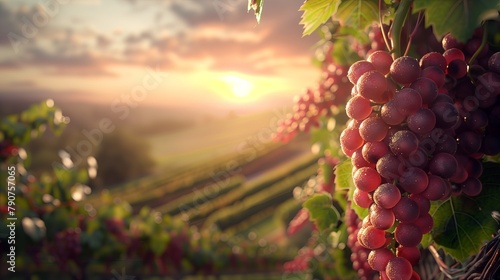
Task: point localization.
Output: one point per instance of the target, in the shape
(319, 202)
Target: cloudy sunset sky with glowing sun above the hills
(207, 54)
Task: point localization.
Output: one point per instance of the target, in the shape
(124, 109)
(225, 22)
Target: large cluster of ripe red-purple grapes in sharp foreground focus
(413, 139)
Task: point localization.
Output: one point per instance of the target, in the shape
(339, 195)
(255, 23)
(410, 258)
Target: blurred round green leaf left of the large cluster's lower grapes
(321, 211)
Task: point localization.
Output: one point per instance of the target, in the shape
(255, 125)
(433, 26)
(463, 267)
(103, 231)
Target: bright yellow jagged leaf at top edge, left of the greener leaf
(317, 12)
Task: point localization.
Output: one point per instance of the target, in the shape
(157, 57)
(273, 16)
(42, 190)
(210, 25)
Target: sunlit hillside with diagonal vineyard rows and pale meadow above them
(222, 174)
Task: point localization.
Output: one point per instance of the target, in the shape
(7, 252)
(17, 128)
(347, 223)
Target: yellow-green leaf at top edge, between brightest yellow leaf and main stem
(358, 14)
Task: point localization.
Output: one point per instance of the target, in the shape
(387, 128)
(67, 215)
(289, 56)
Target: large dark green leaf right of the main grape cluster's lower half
(463, 223)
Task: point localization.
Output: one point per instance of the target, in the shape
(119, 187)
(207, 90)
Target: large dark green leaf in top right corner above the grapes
(459, 17)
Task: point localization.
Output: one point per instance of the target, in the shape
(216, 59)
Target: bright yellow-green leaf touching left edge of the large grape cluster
(344, 183)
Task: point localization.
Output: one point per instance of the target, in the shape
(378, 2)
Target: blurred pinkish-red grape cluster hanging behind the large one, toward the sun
(332, 91)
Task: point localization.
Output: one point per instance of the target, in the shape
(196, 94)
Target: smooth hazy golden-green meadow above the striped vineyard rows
(230, 137)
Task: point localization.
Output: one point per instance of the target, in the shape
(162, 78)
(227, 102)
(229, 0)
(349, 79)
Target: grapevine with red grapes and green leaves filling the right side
(422, 124)
